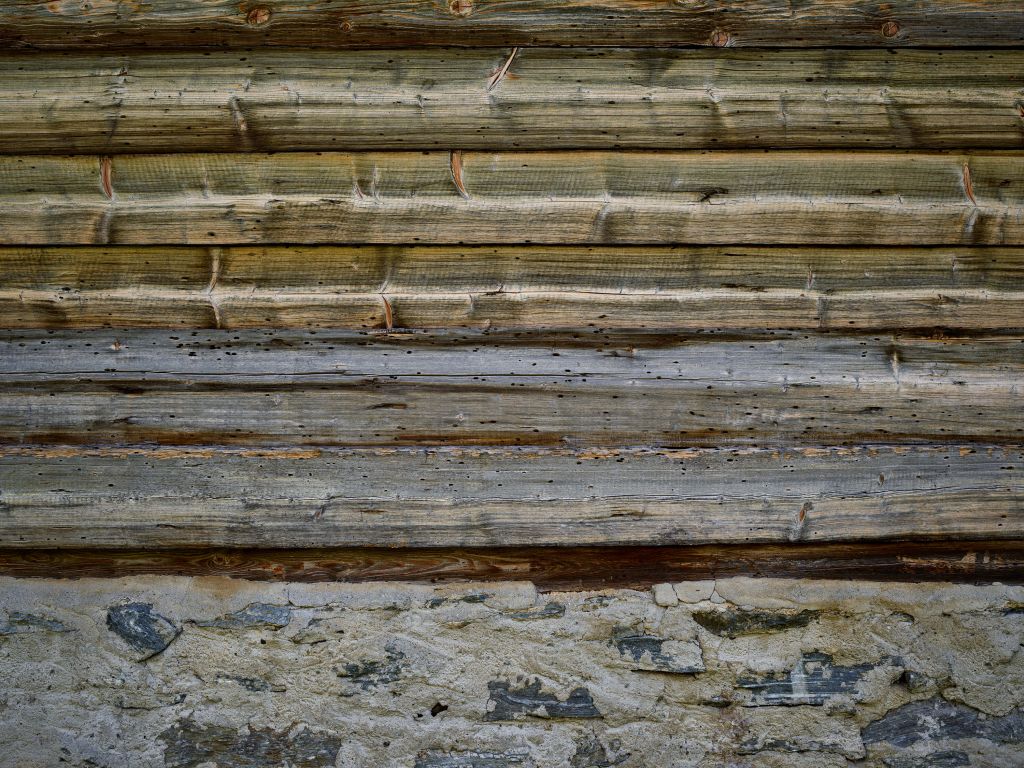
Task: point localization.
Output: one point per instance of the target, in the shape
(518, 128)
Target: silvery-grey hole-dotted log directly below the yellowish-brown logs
(296, 389)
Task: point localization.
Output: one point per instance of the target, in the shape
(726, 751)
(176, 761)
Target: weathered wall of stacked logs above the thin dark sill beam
(518, 274)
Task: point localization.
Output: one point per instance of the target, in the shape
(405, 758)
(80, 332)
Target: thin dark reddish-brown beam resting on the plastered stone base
(549, 569)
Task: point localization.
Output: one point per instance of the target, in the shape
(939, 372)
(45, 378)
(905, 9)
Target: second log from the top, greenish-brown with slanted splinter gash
(535, 99)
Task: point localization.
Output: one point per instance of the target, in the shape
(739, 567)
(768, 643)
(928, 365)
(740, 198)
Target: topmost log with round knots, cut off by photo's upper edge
(389, 23)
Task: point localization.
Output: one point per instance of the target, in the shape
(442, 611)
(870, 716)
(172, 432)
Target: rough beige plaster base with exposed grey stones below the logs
(205, 673)
